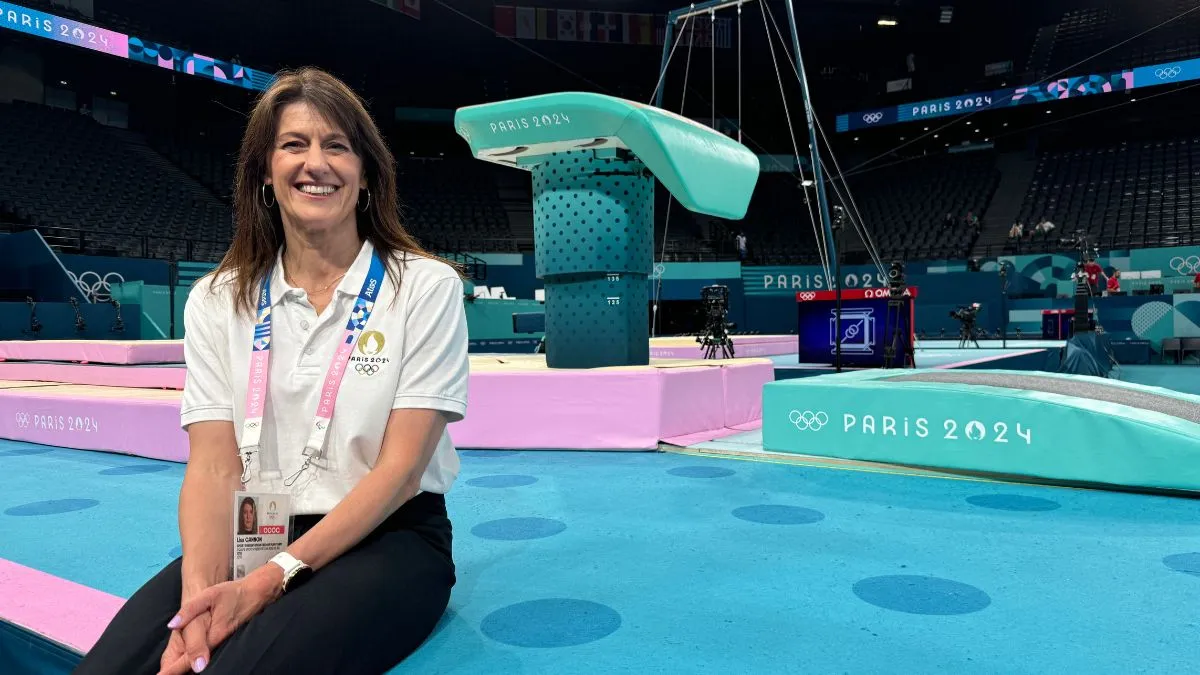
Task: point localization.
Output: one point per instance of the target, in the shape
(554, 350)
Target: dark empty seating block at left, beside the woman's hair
(63, 170)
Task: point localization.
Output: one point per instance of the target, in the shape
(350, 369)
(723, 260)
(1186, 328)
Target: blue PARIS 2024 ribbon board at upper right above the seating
(1033, 94)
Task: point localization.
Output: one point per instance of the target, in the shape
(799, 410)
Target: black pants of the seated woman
(363, 613)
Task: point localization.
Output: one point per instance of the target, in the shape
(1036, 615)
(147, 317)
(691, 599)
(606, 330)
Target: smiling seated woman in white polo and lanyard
(321, 272)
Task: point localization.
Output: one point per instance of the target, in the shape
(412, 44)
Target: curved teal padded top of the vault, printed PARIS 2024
(705, 170)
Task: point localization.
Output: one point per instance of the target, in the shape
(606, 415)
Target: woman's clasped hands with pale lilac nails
(211, 617)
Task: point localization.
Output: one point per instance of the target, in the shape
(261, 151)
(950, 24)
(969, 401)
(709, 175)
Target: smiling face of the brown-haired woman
(315, 174)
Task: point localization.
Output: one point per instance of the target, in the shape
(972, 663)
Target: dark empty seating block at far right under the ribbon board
(1131, 195)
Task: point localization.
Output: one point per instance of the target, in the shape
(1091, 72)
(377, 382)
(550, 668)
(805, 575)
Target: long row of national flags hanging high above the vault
(621, 28)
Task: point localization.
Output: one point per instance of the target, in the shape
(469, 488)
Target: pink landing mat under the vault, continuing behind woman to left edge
(511, 407)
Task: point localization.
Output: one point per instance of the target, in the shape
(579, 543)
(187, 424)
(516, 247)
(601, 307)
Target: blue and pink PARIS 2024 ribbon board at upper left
(79, 34)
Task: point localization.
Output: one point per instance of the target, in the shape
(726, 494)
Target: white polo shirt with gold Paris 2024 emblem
(411, 355)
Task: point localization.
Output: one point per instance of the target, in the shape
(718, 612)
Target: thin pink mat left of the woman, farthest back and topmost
(94, 351)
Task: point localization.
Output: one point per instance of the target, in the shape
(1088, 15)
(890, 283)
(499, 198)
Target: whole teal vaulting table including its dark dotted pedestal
(595, 160)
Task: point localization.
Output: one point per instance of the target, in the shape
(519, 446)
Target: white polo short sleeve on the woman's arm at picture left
(208, 395)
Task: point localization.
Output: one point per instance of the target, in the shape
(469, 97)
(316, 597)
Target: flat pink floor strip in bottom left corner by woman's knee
(59, 611)
